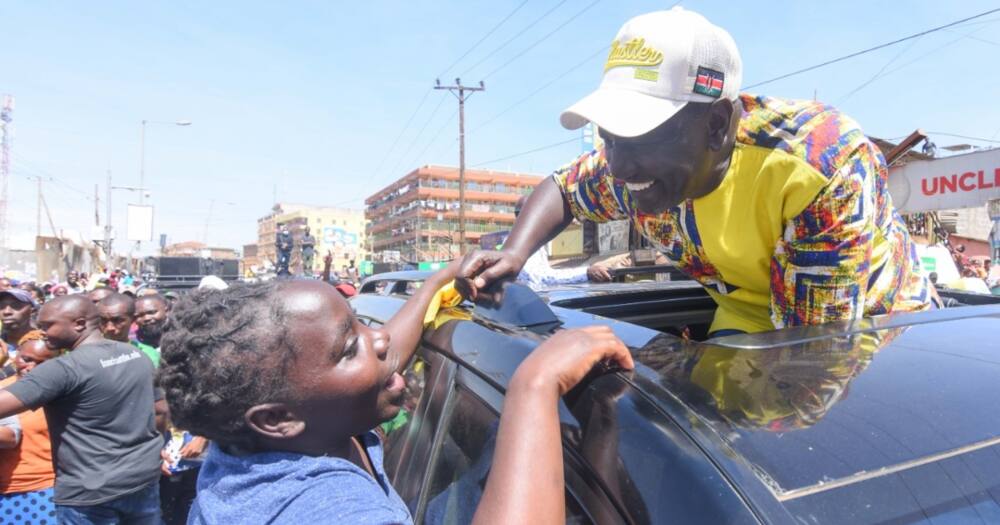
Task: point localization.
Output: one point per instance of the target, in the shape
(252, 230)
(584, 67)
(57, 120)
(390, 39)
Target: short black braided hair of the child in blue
(223, 352)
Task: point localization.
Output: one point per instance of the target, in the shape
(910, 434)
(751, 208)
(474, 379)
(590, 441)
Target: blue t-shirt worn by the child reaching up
(285, 487)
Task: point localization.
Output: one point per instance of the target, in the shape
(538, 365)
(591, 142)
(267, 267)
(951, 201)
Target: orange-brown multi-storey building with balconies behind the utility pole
(415, 219)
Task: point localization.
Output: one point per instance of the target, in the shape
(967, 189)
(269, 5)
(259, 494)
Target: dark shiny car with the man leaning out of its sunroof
(882, 420)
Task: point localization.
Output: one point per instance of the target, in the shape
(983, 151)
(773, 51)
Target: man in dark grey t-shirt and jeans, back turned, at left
(98, 401)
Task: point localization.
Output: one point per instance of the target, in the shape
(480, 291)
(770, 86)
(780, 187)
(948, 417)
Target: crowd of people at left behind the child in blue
(87, 438)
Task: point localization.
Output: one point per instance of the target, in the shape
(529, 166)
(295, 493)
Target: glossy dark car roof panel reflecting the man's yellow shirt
(824, 412)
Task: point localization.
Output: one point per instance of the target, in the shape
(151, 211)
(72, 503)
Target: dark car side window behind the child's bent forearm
(463, 464)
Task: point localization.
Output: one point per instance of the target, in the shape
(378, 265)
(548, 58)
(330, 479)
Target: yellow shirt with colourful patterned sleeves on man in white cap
(801, 230)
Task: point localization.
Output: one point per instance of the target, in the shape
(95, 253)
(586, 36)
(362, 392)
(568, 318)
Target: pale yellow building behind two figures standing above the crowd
(340, 231)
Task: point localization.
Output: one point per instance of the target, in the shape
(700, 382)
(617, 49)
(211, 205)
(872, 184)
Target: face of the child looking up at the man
(344, 375)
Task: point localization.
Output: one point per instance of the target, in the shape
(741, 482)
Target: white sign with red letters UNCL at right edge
(960, 181)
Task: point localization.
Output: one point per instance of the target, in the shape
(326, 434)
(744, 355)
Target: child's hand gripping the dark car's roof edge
(566, 357)
